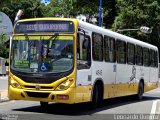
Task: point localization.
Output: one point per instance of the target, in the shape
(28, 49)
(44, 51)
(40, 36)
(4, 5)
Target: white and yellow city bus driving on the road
(65, 60)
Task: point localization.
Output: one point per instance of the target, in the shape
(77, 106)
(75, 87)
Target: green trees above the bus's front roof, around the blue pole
(89, 8)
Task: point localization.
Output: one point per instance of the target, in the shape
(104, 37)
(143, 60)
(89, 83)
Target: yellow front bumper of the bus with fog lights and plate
(66, 96)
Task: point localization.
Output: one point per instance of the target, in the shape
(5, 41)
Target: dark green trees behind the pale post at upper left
(31, 8)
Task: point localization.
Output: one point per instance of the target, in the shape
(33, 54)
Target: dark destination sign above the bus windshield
(44, 26)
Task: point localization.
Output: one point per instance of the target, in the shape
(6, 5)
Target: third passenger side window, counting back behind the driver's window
(121, 51)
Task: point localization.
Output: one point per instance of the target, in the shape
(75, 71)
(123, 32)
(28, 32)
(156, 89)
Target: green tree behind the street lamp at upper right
(136, 13)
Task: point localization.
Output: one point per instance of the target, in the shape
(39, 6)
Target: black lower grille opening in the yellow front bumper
(37, 94)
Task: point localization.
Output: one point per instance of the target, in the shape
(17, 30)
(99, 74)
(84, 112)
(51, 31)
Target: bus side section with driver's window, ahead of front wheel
(83, 68)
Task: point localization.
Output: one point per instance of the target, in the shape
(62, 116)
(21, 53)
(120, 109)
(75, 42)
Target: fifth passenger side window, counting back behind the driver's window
(139, 55)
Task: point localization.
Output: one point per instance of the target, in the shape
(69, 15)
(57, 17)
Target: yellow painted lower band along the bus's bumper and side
(84, 93)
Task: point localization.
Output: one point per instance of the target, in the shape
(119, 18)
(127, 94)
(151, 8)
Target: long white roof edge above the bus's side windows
(115, 35)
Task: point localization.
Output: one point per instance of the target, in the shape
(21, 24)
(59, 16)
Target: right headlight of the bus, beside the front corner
(66, 84)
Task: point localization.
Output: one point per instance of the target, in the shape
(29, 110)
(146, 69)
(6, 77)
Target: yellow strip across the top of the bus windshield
(42, 38)
